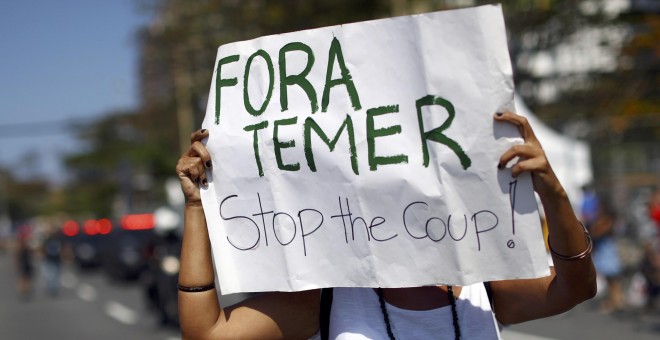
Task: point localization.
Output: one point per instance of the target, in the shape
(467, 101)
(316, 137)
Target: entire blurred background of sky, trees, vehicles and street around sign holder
(98, 99)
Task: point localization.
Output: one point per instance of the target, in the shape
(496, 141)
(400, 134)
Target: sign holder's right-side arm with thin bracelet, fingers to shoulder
(573, 278)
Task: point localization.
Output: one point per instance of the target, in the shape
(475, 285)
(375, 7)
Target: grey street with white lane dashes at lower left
(89, 306)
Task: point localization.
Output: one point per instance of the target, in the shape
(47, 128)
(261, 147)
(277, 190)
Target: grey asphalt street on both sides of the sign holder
(90, 306)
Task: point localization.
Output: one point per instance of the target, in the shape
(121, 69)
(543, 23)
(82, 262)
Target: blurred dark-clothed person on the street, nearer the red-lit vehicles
(52, 249)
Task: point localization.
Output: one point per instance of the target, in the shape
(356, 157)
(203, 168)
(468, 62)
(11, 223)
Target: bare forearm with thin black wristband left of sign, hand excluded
(199, 311)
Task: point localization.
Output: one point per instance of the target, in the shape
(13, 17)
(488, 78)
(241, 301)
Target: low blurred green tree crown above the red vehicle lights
(115, 173)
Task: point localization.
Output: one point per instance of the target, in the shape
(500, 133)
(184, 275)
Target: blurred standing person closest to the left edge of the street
(24, 262)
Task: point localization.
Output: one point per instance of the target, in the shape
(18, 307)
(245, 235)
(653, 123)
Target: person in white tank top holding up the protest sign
(415, 312)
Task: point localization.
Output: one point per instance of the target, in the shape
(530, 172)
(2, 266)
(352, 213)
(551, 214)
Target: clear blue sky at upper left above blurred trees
(61, 60)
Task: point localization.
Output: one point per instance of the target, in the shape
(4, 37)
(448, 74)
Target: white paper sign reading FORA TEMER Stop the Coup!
(365, 155)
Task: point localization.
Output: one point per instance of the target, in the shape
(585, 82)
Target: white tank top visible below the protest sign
(356, 314)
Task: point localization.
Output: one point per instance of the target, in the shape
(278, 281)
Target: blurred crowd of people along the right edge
(626, 250)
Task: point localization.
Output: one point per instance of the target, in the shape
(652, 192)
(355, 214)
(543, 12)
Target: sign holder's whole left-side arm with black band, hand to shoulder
(266, 316)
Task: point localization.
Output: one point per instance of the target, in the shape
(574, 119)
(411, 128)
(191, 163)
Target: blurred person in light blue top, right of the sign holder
(606, 257)
